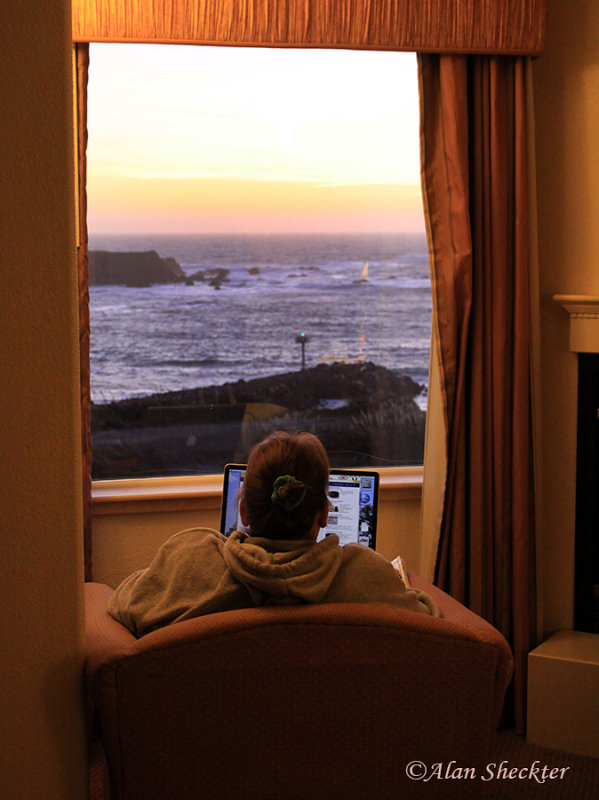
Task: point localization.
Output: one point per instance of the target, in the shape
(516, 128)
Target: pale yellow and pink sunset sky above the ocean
(201, 139)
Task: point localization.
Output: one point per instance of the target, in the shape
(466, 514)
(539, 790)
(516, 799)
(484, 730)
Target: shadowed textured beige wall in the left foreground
(41, 710)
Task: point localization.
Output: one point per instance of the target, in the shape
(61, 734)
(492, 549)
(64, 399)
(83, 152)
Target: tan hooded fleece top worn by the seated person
(199, 571)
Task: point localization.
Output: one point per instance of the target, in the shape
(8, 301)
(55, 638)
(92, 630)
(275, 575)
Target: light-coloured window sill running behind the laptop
(204, 492)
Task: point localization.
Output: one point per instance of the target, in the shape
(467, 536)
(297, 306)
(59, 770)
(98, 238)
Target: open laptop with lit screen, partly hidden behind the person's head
(353, 495)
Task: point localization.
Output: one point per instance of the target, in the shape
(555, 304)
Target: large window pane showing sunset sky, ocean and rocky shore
(257, 256)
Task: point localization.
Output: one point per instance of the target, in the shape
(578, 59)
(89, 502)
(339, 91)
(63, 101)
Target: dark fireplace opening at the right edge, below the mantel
(586, 564)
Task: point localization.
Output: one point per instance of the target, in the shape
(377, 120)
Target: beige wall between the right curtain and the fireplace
(567, 124)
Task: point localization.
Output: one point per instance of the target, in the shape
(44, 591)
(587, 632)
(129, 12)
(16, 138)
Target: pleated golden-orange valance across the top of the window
(453, 26)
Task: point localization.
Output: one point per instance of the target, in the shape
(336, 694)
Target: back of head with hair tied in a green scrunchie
(285, 486)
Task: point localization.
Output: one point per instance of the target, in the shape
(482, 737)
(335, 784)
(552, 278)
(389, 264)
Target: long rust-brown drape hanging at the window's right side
(474, 137)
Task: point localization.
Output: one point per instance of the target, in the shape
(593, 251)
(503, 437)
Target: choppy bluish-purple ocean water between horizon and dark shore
(166, 337)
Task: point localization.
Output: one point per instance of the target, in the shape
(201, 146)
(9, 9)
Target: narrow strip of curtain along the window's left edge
(81, 77)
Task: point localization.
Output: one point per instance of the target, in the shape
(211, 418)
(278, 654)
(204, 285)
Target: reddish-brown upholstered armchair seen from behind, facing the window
(295, 703)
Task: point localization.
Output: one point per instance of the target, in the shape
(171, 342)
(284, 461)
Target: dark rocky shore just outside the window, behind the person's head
(365, 415)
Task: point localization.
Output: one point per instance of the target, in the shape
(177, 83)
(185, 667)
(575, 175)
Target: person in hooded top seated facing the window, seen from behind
(284, 505)
